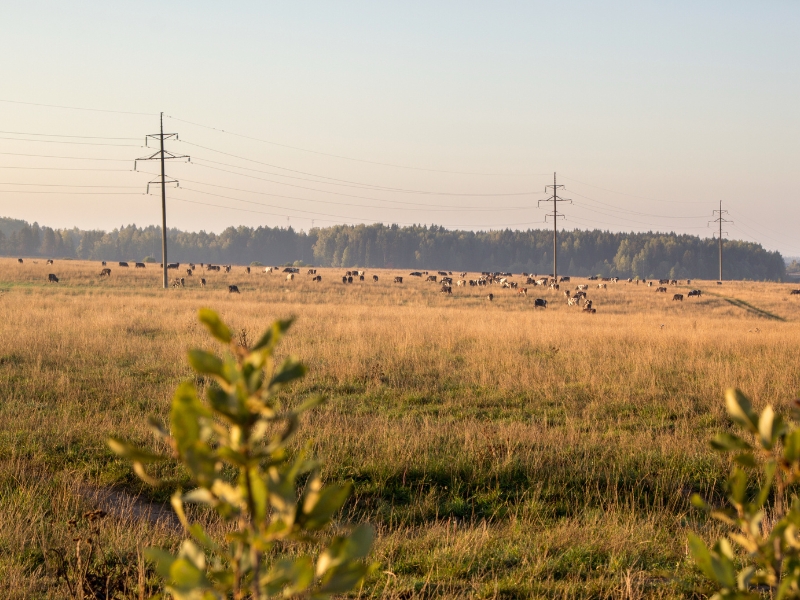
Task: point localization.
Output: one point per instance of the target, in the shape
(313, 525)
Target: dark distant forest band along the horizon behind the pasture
(580, 253)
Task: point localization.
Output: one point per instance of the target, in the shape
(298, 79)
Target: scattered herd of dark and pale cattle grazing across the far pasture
(444, 279)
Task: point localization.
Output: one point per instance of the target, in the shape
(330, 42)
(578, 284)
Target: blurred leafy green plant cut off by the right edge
(762, 551)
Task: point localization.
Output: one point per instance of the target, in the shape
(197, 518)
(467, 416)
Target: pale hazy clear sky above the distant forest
(449, 113)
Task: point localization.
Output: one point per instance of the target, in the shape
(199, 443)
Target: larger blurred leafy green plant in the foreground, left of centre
(235, 448)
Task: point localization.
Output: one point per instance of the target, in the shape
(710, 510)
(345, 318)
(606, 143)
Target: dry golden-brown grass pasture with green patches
(500, 451)
